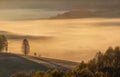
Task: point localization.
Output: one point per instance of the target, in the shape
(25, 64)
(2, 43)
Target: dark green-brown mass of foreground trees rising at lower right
(102, 65)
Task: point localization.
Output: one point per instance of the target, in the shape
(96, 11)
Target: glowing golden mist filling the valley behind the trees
(73, 39)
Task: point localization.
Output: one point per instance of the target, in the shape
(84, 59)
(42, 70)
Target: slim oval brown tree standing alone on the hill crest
(25, 47)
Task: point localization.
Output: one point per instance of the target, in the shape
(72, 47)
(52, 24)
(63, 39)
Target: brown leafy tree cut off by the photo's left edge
(3, 43)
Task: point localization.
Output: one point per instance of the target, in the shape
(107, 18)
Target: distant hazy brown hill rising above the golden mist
(89, 14)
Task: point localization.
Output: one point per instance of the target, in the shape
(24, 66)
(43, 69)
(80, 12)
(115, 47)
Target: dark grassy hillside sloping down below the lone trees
(11, 63)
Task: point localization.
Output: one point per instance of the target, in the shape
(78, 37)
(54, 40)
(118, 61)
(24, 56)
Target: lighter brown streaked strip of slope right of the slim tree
(54, 63)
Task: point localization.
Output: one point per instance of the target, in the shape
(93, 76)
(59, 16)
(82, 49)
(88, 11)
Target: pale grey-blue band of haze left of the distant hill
(24, 14)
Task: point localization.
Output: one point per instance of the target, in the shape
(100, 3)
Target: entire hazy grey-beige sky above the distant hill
(36, 9)
